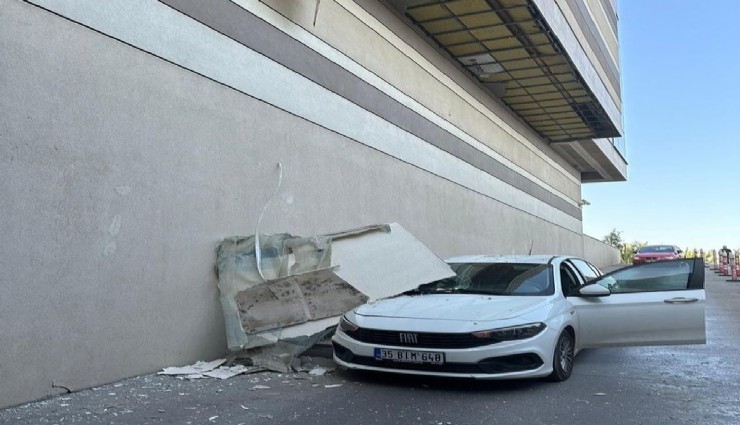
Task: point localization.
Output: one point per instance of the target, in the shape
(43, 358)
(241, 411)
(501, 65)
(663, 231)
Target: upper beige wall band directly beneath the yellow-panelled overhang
(410, 65)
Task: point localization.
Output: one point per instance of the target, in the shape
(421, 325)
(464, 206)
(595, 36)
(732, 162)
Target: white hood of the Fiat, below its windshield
(453, 307)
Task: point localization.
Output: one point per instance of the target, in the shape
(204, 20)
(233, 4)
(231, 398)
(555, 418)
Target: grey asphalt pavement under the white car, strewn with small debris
(698, 384)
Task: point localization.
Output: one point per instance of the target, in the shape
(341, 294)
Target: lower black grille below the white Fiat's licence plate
(492, 365)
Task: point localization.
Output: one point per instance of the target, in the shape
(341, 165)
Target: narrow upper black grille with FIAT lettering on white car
(419, 339)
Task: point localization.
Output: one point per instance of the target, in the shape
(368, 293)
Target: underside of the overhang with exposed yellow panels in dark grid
(510, 49)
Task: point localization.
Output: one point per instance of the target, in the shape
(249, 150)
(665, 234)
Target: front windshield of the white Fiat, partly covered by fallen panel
(495, 279)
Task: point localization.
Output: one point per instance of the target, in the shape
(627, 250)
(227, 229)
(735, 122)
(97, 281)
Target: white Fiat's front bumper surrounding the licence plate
(529, 358)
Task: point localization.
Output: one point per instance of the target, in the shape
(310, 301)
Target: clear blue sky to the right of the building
(680, 66)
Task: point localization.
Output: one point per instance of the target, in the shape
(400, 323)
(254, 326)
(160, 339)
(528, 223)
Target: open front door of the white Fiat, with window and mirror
(660, 303)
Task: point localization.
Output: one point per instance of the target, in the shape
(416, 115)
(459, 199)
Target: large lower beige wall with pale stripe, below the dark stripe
(132, 144)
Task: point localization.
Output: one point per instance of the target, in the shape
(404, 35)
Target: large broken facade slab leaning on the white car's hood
(281, 293)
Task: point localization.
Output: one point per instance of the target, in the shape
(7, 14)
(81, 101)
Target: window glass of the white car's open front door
(650, 277)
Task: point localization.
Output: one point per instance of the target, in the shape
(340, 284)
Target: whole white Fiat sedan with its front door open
(506, 317)
